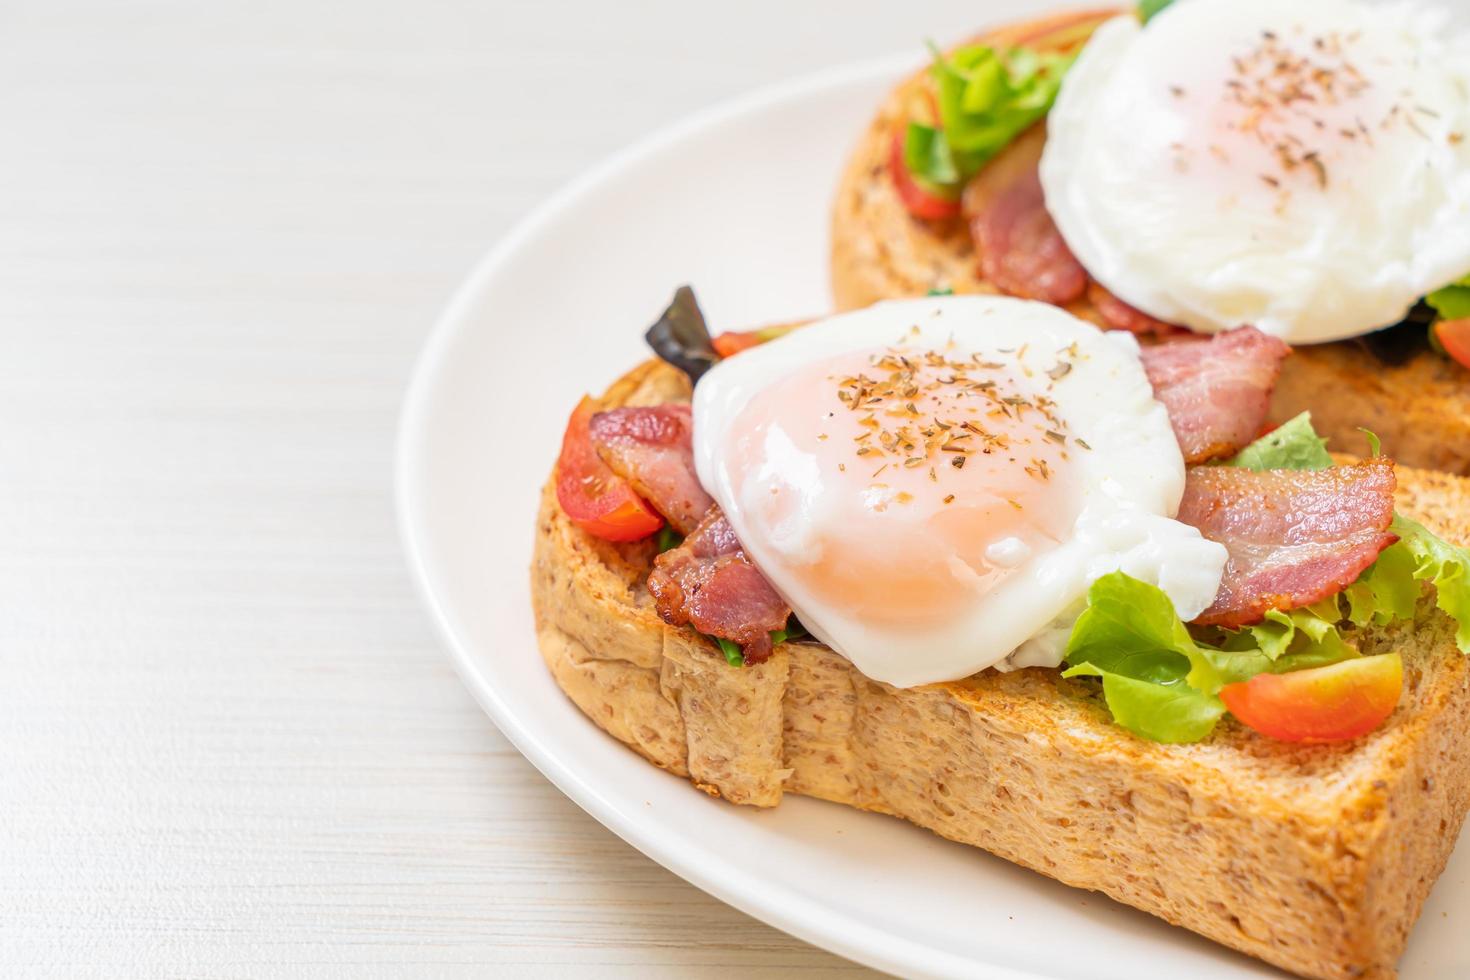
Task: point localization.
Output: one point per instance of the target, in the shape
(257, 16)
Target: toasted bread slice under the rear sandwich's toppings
(1421, 408)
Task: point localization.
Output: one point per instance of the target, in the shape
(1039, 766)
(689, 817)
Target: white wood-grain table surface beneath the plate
(230, 744)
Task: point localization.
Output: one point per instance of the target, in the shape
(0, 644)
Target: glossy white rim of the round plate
(784, 910)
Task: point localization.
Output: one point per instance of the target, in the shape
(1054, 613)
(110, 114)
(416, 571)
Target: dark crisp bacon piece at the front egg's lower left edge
(711, 586)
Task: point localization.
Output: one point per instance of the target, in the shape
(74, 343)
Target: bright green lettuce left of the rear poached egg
(987, 98)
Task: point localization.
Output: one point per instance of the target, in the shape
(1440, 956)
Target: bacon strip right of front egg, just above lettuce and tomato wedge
(1296, 537)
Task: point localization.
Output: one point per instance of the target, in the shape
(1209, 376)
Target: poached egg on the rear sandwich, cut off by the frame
(1297, 165)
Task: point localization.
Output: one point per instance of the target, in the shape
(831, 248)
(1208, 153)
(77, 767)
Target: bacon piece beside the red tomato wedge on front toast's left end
(653, 450)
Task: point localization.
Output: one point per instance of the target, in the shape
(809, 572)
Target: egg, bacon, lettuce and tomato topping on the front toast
(939, 487)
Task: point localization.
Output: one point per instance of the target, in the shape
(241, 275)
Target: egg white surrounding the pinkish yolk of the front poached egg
(1131, 481)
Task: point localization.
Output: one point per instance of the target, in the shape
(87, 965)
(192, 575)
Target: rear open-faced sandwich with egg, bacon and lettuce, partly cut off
(1300, 167)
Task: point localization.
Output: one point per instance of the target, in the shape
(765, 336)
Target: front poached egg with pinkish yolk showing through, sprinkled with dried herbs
(934, 484)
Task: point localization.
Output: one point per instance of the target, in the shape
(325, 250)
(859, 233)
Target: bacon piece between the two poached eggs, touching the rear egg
(1216, 390)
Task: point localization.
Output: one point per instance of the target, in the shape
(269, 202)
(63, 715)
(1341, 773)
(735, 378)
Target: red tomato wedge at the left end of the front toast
(598, 500)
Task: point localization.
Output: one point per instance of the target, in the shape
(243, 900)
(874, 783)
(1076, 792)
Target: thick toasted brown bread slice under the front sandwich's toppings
(1315, 859)
